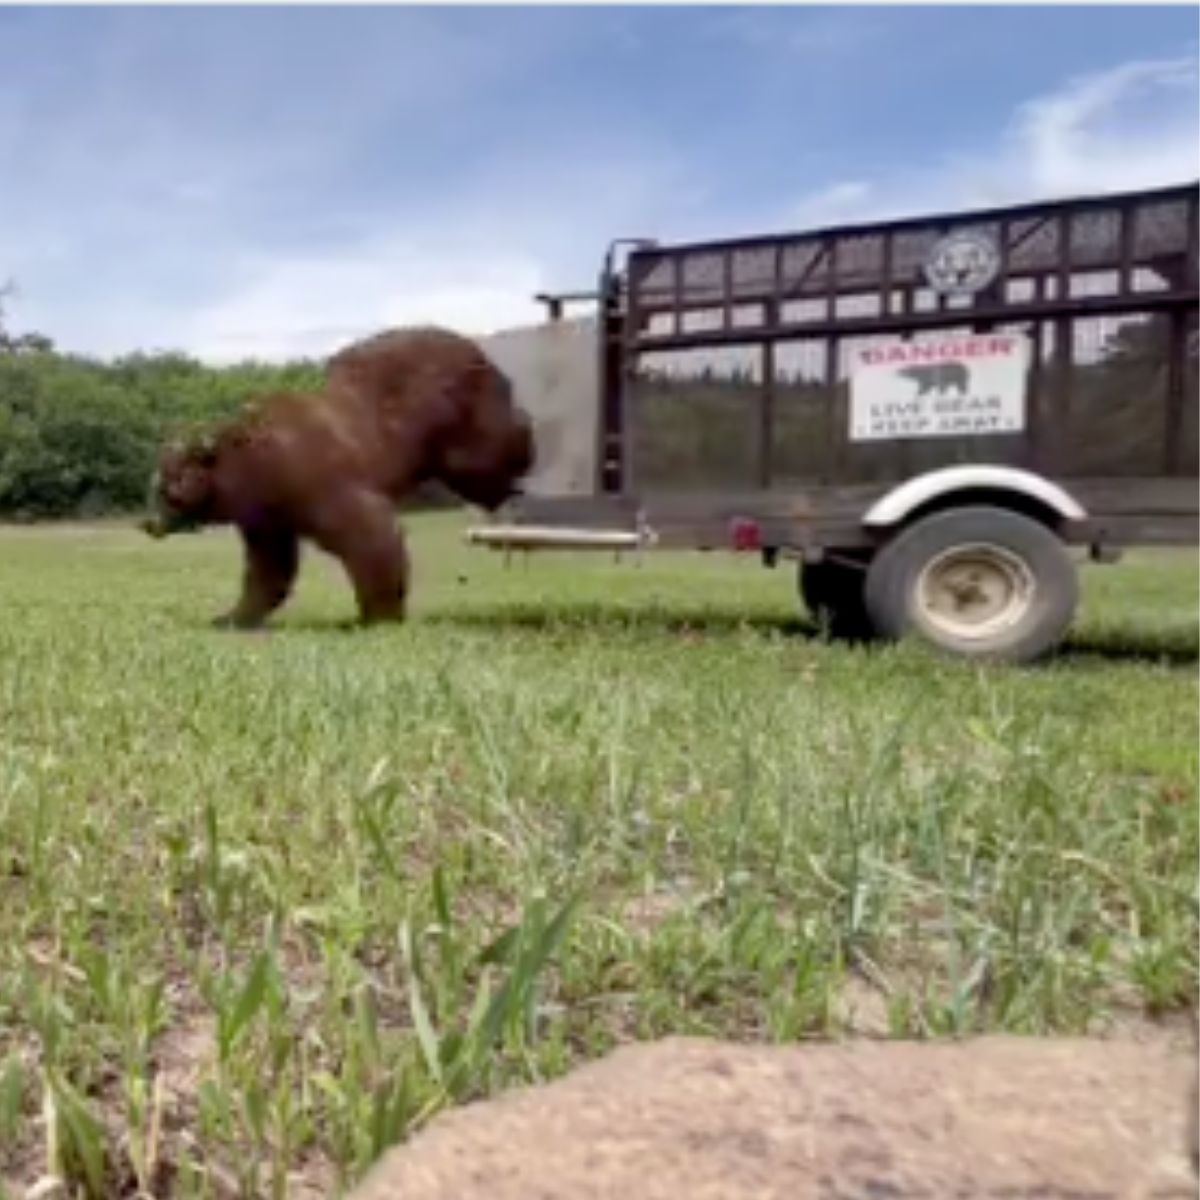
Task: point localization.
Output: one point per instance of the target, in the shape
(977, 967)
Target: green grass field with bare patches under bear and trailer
(268, 902)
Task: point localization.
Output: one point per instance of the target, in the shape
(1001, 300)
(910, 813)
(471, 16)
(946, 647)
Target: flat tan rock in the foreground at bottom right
(692, 1120)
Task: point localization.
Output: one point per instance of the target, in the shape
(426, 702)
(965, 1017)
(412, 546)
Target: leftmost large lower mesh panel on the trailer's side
(695, 419)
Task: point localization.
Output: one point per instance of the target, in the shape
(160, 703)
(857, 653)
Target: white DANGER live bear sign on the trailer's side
(955, 387)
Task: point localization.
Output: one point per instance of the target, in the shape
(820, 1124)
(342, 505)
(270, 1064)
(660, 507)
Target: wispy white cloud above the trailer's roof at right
(1129, 128)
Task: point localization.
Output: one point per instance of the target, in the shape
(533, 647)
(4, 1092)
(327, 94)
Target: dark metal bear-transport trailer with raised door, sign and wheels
(925, 415)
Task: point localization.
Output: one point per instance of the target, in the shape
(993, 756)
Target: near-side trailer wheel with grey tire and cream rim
(981, 581)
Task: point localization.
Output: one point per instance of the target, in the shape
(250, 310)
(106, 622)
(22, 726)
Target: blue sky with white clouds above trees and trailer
(275, 182)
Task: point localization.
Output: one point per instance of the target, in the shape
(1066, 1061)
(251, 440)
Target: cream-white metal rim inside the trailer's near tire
(974, 592)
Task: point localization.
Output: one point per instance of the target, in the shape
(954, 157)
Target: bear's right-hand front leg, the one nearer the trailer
(361, 530)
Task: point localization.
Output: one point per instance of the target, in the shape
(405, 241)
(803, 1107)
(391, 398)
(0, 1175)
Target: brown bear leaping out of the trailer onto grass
(400, 410)
